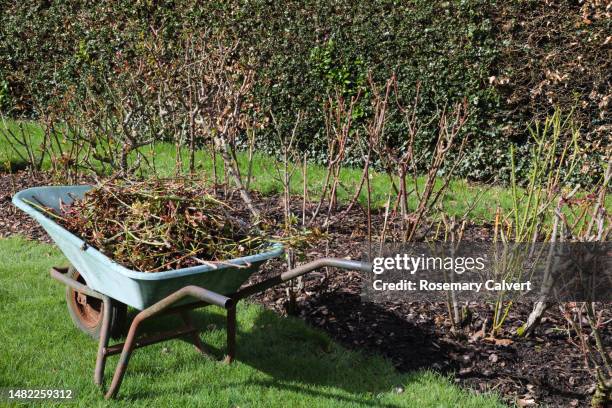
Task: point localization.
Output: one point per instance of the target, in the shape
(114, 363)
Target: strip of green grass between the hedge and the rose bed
(459, 198)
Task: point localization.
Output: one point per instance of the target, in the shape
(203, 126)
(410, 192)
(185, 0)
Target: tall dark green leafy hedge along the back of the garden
(302, 50)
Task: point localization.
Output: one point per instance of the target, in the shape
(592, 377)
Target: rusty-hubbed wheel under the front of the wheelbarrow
(86, 312)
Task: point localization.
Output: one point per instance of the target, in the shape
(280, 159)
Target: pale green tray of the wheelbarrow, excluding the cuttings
(136, 289)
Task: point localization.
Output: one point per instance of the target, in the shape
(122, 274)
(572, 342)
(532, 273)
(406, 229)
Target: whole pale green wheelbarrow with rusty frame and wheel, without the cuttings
(98, 289)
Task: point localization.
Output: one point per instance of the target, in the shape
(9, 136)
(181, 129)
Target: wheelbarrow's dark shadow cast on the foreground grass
(296, 356)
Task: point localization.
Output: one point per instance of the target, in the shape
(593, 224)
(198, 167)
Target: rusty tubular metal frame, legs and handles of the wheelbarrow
(168, 305)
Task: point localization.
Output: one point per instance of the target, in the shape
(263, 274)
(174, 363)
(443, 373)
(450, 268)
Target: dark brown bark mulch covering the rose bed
(546, 368)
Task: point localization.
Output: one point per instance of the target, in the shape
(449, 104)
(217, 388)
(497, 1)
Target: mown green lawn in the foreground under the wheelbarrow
(280, 361)
